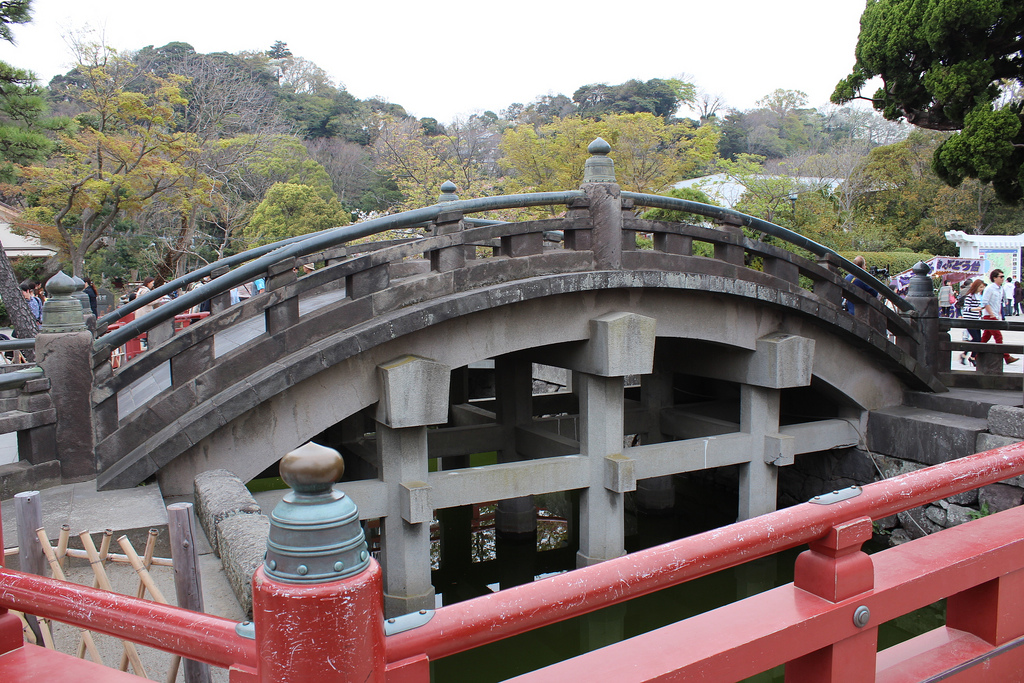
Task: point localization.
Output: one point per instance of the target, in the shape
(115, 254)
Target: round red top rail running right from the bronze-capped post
(492, 618)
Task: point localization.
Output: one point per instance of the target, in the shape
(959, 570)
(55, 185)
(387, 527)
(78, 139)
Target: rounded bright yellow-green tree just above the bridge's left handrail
(290, 210)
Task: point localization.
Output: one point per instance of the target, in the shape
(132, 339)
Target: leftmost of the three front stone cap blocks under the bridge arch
(414, 393)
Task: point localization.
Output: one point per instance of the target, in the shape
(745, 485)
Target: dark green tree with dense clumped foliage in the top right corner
(944, 65)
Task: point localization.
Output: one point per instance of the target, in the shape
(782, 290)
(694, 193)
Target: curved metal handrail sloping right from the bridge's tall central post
(719, 214)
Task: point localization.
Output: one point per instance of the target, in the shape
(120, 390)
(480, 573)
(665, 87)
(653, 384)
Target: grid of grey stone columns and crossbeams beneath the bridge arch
(416, 399)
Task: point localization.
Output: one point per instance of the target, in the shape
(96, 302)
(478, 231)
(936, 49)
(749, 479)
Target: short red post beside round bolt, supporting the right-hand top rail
(837, 570)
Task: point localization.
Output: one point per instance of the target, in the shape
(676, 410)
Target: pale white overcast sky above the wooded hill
(458, 58)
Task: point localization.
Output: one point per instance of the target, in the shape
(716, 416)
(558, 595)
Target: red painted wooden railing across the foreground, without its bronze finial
(823, 627)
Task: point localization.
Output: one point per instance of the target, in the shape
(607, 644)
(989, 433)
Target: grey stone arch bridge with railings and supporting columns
(710, 347)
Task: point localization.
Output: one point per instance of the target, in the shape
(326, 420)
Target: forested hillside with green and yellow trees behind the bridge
(160, 159)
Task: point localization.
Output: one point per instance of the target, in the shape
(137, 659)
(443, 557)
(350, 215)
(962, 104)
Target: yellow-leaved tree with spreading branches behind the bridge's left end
(126, 153)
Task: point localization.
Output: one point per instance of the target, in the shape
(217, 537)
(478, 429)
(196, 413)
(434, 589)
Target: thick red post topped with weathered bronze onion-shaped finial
(319, 597)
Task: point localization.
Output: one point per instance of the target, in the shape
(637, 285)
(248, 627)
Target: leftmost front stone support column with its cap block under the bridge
(414, 395)
